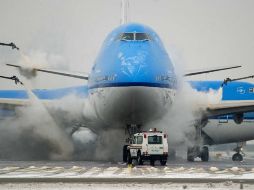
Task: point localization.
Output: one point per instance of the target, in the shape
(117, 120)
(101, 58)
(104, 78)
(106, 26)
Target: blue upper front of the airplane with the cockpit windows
(133, 61)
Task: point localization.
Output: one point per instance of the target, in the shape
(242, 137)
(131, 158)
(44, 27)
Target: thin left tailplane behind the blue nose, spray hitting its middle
(63, 73)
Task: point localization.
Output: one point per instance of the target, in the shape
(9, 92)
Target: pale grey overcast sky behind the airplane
(68, 34)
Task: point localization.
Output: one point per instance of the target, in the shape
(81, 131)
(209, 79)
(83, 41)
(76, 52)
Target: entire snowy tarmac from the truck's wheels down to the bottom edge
(220, 174)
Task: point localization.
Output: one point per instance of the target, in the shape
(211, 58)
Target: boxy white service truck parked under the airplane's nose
(150, 146)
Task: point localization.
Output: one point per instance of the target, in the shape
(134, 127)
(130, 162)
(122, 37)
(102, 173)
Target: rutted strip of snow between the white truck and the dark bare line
(119, 171)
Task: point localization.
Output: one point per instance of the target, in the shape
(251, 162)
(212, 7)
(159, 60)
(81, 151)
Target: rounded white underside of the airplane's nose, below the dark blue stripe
(130, 105)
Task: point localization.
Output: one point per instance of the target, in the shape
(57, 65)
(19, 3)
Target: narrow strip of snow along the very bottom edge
(129, 186)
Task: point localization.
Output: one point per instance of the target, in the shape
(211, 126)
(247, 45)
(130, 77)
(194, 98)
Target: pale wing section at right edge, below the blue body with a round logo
(229, 107)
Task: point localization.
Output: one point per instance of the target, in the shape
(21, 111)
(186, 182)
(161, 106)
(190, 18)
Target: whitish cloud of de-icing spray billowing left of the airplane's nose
(41, 130)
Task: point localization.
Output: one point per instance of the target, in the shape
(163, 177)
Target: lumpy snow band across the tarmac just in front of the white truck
(120, 173)
